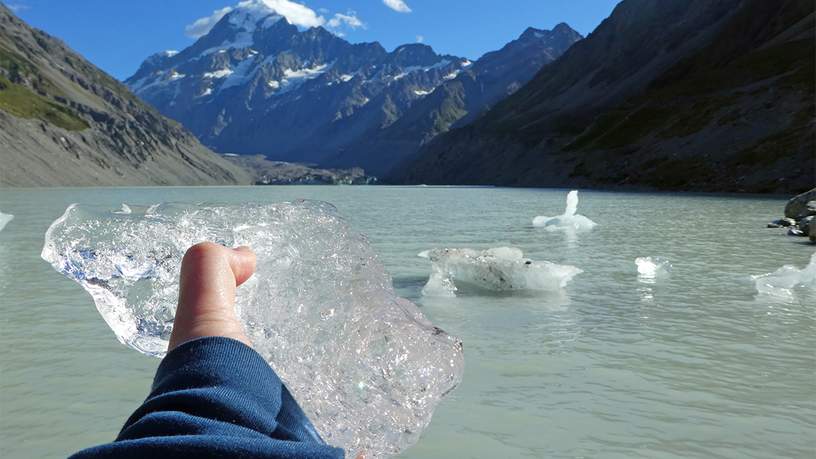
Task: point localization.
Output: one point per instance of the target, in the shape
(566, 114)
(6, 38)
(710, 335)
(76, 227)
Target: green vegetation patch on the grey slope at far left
(24, 103)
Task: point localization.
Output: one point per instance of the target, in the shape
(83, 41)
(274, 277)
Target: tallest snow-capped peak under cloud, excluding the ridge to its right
(258, 84)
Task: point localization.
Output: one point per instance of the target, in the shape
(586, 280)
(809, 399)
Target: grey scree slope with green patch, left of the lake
(65, 122)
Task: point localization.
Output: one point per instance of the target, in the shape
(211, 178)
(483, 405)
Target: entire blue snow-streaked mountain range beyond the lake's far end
(256, 84)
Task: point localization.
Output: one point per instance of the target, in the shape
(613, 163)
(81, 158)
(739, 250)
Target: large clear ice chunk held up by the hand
(367, 367)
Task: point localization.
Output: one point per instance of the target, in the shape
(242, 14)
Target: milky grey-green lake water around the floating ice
(696, 365)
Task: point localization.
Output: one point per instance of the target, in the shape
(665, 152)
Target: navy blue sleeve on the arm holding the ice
(214, 398)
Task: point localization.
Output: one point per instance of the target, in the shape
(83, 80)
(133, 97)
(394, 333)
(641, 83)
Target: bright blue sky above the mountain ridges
(117, 35)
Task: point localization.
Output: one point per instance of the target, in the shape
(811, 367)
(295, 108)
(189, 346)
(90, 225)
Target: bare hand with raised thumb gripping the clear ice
(210, 274)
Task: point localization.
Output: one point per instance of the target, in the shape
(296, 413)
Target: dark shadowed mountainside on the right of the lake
(669, 94)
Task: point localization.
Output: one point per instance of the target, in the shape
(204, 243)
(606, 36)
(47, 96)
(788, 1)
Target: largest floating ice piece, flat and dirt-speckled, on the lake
(500, 269)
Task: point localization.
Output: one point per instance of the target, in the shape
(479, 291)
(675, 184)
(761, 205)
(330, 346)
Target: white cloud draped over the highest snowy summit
(296, 13)
